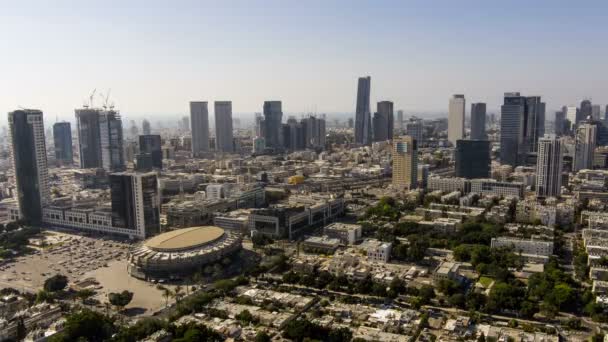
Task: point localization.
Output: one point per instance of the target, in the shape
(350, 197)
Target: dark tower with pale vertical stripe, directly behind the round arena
(135, 203)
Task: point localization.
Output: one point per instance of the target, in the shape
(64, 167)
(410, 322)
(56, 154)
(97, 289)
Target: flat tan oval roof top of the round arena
(184, 239)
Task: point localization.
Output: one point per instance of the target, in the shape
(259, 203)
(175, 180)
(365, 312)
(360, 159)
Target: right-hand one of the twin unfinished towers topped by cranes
(110, 133)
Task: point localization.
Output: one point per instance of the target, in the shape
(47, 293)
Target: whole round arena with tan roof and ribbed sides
(181, 252)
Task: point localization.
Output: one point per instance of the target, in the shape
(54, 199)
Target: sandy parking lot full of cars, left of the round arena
(61, 253)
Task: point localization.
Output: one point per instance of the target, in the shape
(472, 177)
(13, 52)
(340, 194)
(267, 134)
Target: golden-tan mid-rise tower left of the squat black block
(405, 162)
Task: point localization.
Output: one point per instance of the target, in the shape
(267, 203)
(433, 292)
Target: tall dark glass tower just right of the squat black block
(512, 120)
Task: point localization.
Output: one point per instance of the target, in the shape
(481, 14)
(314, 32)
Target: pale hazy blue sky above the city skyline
(158, 55)
